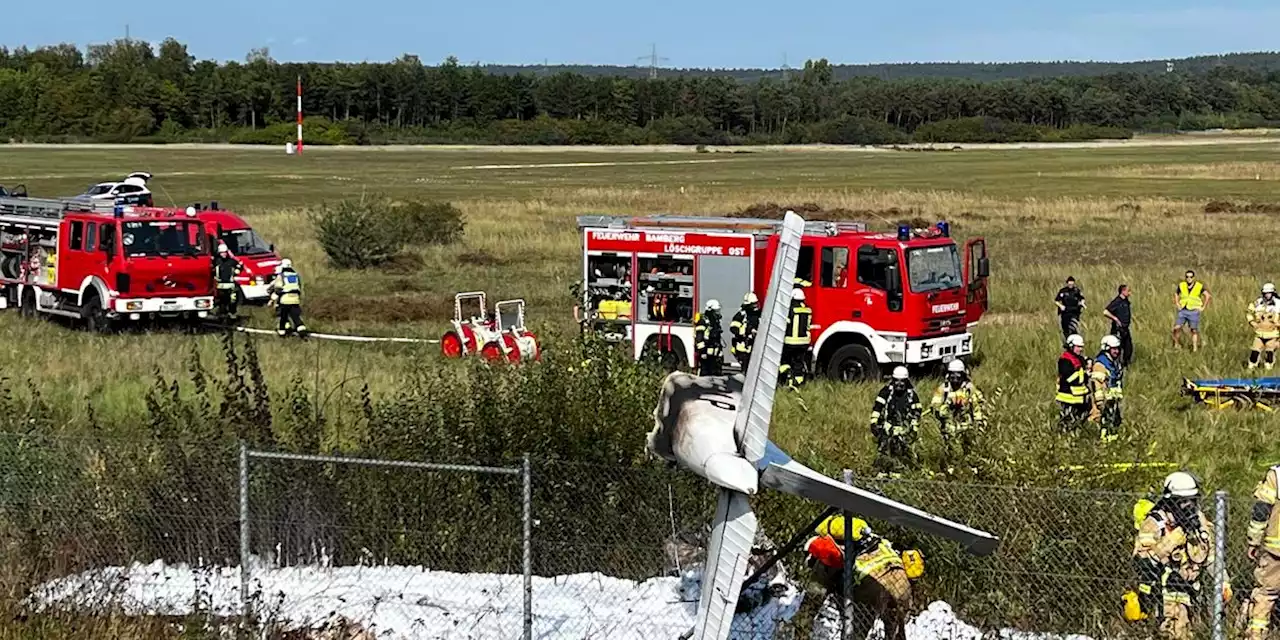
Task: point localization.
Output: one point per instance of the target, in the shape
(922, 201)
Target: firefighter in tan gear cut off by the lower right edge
(1264, 550)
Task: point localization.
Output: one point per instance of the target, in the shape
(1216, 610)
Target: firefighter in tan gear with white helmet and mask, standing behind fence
(1173, 548)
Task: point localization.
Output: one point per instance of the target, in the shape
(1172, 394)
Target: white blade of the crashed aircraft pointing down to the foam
(728, 557)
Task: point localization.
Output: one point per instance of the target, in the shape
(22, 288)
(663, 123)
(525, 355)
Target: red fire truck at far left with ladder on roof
(99, 262)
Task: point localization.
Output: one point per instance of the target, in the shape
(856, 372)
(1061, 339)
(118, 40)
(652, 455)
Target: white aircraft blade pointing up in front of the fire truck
(752, 424)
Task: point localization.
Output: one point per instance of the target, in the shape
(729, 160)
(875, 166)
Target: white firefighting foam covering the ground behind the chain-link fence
(417, 602)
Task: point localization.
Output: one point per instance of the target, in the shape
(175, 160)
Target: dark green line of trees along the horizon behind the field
(132, 92)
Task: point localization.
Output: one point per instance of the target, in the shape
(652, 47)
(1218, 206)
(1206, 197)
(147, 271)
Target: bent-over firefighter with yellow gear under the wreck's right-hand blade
(881, 588)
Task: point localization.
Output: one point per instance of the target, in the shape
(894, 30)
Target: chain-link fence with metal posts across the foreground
(536, 550)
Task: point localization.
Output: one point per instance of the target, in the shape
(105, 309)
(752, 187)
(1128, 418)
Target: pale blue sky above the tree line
(733, 34)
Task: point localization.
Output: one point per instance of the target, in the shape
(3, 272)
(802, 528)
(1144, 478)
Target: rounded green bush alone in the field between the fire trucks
(360, 234)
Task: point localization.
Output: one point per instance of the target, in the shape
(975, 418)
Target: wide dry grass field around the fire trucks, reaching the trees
(1105, 216)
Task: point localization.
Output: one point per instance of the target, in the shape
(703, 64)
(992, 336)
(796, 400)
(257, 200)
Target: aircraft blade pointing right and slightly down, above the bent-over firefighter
(797, 479)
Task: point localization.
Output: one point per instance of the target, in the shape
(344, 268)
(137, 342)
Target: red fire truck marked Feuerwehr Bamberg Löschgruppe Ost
(877, 299)
